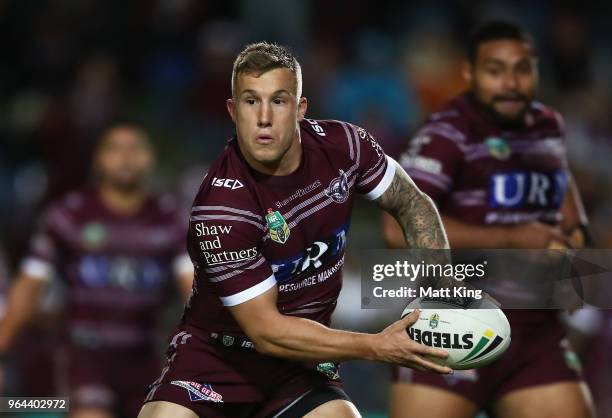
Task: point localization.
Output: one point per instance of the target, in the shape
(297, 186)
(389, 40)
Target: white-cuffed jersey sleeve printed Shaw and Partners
(224, 243)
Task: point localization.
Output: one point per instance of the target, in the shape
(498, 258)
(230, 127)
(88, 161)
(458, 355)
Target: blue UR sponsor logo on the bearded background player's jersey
(527, 188)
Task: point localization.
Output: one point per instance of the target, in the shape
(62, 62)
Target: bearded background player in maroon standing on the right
(494, 162)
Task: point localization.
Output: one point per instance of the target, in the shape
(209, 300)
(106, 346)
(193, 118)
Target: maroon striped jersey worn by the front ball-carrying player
(249, 231)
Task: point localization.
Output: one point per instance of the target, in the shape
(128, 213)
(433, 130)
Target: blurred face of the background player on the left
(124, 158)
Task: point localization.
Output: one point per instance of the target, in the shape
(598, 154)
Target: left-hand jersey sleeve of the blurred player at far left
(45, 245)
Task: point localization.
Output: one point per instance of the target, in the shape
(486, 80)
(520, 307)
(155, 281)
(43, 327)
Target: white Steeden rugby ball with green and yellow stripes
(473, 332)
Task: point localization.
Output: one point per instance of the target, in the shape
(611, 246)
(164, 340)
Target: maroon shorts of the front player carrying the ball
(217, 381)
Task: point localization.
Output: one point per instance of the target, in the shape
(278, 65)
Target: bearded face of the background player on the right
(504, 78)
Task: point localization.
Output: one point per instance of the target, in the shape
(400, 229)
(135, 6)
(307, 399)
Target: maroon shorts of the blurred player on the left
(113, 379)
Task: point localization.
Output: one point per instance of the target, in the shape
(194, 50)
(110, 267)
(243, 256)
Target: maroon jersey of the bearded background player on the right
(480, 174)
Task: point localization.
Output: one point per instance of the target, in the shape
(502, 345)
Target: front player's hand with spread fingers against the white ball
(396, 347)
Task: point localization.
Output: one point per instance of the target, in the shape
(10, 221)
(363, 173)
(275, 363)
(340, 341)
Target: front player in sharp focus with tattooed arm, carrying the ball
(267, 237)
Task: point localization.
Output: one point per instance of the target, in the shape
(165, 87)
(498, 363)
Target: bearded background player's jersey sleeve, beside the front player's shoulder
(431, 160)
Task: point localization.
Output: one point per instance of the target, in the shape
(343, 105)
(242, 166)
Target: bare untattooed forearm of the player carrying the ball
(302, 339)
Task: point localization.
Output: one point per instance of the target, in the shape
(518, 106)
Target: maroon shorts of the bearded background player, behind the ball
(538, 354)
